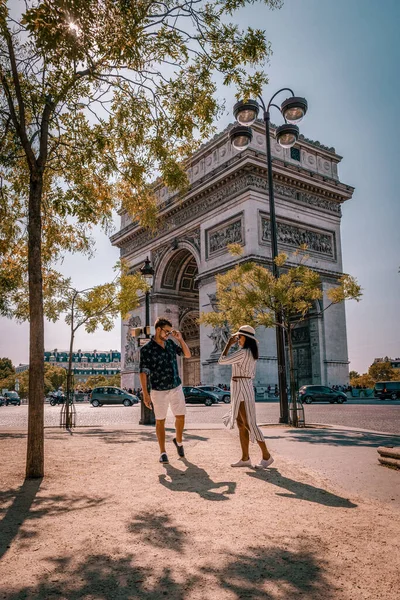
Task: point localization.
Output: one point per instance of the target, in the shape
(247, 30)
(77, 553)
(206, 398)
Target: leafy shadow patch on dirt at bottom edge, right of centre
(263, 573)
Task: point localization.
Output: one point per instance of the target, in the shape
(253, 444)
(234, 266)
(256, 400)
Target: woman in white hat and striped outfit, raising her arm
(243, 408)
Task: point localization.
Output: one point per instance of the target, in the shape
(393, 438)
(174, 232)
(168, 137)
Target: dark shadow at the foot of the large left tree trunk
(27, 506)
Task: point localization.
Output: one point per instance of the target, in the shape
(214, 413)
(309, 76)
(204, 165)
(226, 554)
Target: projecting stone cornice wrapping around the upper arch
(236, 176)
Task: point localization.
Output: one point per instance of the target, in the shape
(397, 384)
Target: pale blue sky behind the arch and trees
(343, 56)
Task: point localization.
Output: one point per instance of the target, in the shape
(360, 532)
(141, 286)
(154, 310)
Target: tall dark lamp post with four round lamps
(293, 110)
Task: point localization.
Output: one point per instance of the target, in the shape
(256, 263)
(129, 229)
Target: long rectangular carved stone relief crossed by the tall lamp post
(292, 235)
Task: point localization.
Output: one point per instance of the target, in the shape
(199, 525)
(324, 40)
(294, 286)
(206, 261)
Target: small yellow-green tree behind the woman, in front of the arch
(249, 293)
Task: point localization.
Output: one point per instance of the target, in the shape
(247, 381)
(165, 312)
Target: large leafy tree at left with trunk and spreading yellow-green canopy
(95, 98)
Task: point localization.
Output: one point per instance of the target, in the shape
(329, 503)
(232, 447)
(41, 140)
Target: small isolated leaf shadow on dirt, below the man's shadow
(157, 530)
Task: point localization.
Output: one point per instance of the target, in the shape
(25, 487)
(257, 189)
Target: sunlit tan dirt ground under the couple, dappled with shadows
(109, 522)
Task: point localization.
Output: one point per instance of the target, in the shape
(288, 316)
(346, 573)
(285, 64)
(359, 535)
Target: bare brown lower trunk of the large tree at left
(35, 447)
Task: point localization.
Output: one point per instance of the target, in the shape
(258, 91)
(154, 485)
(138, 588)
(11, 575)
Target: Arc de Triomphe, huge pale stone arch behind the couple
(228, 202)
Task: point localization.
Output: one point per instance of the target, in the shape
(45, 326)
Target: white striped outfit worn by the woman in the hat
(243, 364)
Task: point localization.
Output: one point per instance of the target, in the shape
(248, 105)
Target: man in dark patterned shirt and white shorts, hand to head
(158, 364)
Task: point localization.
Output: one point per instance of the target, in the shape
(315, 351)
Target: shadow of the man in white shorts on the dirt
(197, 480)
